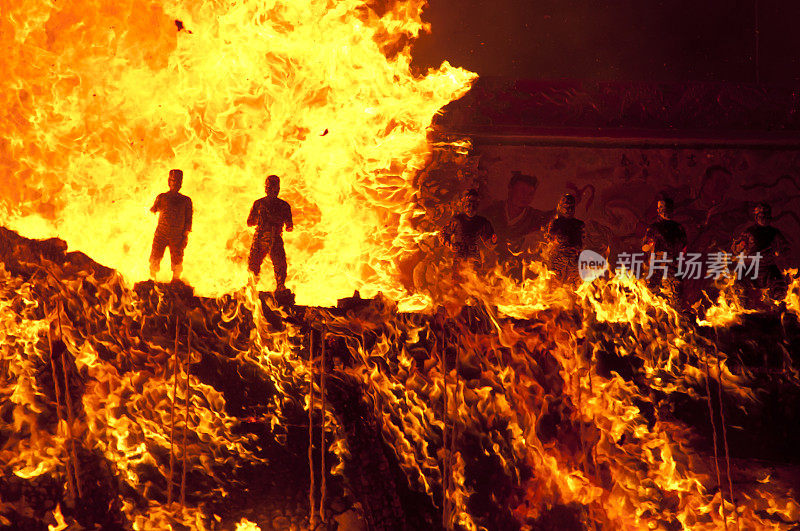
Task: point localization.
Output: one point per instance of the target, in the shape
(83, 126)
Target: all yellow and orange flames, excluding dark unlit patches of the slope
(100, 101)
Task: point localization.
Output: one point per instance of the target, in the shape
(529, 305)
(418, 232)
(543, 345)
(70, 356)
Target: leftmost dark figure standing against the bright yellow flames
(174, 223)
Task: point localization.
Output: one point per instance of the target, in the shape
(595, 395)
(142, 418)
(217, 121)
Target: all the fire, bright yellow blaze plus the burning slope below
(532, 406)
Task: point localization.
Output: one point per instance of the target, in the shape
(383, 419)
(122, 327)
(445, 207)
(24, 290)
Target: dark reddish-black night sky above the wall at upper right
(628, 40)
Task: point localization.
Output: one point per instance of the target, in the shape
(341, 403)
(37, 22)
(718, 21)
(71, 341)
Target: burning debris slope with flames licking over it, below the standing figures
(591, 416)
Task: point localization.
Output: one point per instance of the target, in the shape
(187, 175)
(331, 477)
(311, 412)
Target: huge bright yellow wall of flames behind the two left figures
(101, 99)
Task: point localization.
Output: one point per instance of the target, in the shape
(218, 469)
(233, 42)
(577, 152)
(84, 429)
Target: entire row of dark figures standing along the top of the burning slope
(503, 225)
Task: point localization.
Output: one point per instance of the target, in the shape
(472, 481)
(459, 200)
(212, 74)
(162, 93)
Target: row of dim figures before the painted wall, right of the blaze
(504, 224)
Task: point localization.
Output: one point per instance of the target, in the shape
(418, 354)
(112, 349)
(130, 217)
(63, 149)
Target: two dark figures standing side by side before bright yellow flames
(269, 215)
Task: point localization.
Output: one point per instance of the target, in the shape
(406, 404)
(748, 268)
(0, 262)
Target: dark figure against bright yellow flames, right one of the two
(270, 215)
